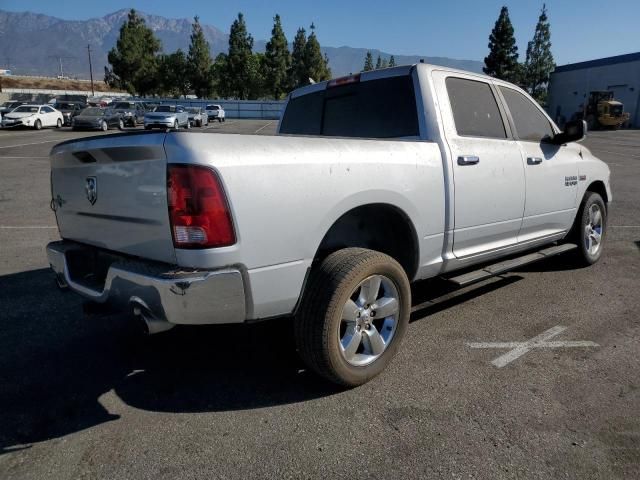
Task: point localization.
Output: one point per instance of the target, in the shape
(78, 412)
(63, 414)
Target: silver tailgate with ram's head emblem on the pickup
(110, 192)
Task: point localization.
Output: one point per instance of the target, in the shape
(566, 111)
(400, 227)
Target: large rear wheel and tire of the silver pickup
(348, 352)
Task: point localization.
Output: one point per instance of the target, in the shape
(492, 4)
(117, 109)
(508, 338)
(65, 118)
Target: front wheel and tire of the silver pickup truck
(590, 229)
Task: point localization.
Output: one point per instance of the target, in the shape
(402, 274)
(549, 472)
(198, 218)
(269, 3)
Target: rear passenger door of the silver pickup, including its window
(489, 184)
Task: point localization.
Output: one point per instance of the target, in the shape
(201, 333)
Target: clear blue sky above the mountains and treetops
(456, 29)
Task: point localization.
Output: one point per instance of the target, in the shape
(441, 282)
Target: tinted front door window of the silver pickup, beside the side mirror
(531, 125)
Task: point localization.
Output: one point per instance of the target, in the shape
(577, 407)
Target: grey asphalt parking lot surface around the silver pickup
(92, 398)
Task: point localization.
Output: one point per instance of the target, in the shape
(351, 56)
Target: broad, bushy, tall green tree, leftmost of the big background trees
(134, 59)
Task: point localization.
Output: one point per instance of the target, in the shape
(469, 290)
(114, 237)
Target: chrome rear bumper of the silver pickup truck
(160, 293)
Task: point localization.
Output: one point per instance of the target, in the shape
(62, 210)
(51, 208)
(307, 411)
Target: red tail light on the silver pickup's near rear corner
(198, 208)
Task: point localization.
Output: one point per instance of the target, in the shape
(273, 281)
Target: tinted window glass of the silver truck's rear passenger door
(475, 109)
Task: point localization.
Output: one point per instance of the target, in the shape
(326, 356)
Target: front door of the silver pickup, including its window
(551, 171)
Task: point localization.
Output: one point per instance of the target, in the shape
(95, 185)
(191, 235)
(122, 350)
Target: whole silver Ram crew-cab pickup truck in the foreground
(374, 181)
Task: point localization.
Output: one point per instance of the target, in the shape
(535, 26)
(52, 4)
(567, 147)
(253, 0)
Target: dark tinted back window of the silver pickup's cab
(384, 108)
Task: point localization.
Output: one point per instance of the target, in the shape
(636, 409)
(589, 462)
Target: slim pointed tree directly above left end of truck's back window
(277, 61)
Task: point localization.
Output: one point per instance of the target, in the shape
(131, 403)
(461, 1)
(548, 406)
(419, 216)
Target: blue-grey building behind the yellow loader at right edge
(570, 85)
